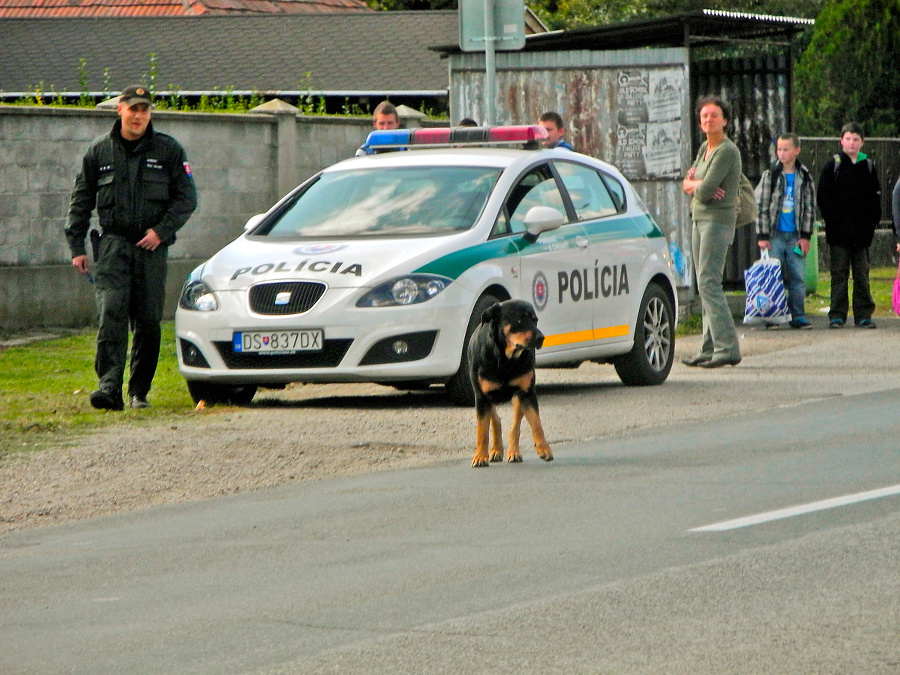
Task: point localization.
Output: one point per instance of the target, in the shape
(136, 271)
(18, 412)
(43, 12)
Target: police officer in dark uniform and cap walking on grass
(140, 183)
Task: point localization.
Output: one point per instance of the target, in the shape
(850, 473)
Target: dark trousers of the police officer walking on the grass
(130, 288)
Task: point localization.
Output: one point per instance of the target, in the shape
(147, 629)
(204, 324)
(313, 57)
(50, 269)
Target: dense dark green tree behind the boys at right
(849, 71)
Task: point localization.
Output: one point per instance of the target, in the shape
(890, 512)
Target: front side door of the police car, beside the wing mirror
(551, 268)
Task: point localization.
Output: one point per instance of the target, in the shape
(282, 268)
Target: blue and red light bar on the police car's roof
(526, 135)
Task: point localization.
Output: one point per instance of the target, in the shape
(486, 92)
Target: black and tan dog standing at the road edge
(501, 360)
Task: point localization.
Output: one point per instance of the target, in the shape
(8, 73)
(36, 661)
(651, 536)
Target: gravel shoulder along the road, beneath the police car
(314, 432)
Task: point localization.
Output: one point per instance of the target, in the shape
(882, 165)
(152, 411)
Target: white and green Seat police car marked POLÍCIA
(378, 269)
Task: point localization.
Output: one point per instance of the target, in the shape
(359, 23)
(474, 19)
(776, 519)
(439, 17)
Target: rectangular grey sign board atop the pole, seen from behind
(507, 17)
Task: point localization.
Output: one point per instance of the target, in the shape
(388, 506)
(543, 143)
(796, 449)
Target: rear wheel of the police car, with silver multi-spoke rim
(650, 359)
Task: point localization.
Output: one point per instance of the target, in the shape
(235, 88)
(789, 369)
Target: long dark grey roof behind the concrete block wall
(347, 52)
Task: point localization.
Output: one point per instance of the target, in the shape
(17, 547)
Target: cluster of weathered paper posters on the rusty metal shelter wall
(648, 129)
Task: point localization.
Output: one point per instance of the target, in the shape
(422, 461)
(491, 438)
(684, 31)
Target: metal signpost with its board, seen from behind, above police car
(480, 21)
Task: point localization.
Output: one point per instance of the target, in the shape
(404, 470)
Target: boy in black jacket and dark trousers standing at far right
(849, 197)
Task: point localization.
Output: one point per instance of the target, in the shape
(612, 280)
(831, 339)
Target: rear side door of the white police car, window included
(617, 249)
